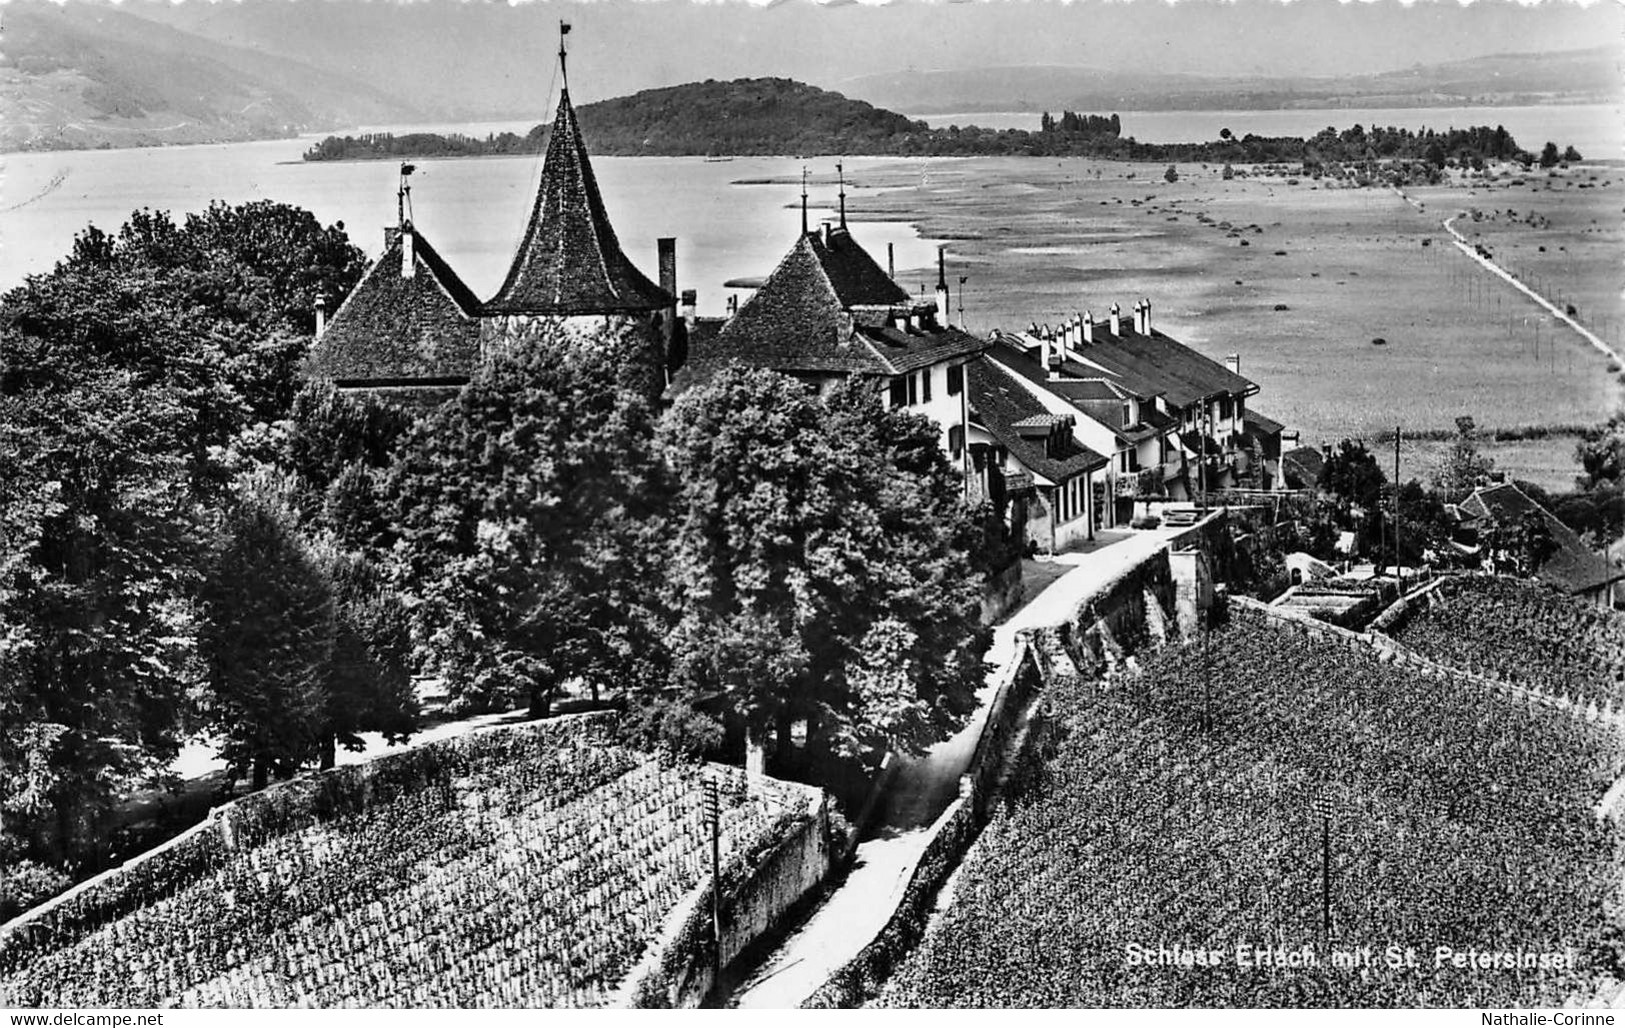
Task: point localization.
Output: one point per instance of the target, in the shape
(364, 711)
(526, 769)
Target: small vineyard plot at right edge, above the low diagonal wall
(1527, 634)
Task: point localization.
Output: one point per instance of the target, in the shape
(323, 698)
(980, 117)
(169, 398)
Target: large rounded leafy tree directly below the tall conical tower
(527, 516)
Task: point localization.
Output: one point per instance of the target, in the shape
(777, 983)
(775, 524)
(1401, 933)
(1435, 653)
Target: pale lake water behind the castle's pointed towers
(472, 210)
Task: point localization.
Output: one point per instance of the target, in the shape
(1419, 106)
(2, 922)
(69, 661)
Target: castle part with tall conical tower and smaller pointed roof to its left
(412, 330)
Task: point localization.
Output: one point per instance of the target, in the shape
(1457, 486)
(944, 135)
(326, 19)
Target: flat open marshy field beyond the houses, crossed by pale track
(1299, 280)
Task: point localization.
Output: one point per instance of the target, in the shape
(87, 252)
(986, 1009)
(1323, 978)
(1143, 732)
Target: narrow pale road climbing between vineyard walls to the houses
(924, 788)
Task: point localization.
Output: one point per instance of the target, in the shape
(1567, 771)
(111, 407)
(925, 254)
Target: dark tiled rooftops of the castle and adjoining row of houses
(828, 309)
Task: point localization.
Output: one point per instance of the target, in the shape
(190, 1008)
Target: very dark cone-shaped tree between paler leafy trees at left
(267, 634)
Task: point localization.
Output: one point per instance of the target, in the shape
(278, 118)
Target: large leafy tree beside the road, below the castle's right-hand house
(821, 568)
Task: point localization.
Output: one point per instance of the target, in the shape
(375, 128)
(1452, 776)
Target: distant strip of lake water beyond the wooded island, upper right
(1597, 131)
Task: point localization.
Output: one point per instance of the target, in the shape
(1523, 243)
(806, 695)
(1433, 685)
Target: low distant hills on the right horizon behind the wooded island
(1499, 80)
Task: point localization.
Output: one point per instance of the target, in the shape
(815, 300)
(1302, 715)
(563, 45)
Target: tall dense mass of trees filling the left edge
(129, 379)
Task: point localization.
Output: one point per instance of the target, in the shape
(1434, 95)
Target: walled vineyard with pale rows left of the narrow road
(526, 873)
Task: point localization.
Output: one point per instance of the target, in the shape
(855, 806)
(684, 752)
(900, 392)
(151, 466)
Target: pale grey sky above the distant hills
(633, 45)
